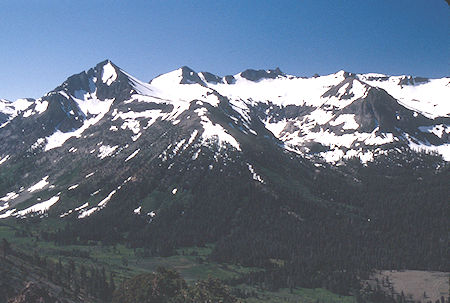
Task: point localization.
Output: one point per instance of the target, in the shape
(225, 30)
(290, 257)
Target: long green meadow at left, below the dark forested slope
(191, 262)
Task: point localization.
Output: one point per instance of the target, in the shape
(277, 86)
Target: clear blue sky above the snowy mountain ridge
(43, 42)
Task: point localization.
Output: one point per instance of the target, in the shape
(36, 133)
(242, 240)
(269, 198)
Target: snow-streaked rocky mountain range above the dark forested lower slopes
(106, 123)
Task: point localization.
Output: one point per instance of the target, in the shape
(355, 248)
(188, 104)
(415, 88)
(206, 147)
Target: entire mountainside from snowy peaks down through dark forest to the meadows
(313, 182)
